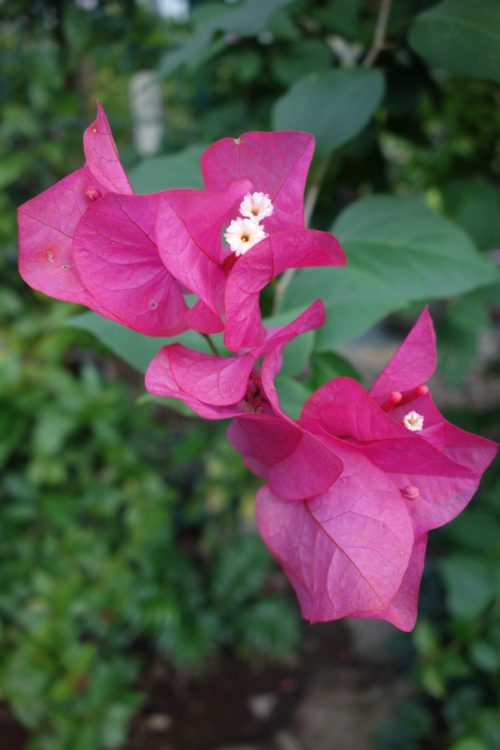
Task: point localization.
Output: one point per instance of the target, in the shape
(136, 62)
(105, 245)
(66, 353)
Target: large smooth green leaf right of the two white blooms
(411, 249)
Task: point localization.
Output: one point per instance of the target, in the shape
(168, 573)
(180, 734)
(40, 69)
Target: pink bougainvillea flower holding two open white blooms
(255, 187)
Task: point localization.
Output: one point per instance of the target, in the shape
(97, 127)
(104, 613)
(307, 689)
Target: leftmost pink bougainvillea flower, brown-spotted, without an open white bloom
(89, 240)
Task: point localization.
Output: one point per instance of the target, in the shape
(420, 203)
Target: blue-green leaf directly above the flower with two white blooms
(334, 106)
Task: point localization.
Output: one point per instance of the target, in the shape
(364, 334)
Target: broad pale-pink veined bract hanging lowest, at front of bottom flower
(345, 551)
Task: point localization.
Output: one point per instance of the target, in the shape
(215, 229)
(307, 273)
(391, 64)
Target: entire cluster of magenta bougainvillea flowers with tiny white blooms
(353, 486)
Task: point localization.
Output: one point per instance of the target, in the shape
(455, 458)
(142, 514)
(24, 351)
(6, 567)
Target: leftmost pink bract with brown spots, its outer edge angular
(47, 225)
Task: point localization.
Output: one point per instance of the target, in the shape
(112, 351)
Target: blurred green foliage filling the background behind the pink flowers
(125, 528)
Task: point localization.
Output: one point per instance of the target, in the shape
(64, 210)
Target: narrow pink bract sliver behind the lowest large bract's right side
(402, 611)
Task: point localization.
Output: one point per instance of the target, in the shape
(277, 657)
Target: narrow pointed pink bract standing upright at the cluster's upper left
(102, 155)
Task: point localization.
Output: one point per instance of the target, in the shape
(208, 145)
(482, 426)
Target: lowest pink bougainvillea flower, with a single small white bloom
(428, 471)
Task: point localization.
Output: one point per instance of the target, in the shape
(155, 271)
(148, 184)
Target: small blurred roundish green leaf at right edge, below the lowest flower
(469, 585)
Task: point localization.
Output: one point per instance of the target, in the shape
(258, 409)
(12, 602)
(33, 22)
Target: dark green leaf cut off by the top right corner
(462, 36)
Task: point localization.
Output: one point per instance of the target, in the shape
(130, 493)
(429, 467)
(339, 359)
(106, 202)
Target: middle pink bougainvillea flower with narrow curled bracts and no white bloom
(219, 388)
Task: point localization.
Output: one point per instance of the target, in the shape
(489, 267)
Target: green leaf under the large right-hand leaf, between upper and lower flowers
(354, 300)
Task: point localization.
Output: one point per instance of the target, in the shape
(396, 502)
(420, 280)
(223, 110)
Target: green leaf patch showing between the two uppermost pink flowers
(180, 170)
